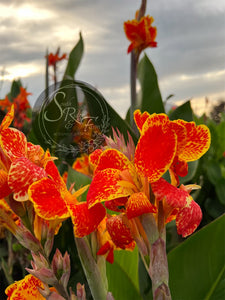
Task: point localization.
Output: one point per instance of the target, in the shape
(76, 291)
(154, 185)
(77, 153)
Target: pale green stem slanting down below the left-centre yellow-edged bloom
(96, 283)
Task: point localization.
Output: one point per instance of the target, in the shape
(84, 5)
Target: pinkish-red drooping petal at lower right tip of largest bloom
(188, 218)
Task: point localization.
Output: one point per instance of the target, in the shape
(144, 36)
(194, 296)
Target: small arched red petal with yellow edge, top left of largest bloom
(112, 158)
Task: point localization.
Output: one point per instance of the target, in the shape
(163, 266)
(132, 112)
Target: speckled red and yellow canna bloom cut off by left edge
(21, 163)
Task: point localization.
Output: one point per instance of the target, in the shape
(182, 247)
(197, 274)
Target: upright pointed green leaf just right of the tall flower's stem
(151, 100)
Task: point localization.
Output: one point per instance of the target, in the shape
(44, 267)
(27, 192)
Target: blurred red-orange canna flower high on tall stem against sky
(141, 34)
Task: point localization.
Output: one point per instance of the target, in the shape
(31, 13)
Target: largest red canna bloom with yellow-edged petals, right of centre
(123, 184)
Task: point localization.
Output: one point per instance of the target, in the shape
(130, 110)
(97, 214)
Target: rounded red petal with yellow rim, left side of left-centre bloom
(47, 200)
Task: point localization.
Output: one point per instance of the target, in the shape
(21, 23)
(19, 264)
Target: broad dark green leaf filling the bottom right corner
(197, 266)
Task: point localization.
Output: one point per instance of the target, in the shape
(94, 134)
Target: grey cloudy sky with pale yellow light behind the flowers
(189, 59)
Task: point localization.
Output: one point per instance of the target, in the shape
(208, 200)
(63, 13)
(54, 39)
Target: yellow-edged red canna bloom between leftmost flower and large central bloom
(52, 201)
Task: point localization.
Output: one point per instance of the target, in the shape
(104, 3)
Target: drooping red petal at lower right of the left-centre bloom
(85, 220)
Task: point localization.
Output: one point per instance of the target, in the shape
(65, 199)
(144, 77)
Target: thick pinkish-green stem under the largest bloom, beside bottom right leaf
(158, 268)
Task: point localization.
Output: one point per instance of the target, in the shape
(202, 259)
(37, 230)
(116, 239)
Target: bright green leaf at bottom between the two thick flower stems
(122, 275)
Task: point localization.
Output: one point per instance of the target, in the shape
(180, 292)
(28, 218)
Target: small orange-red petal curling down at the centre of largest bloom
(138, 204)
